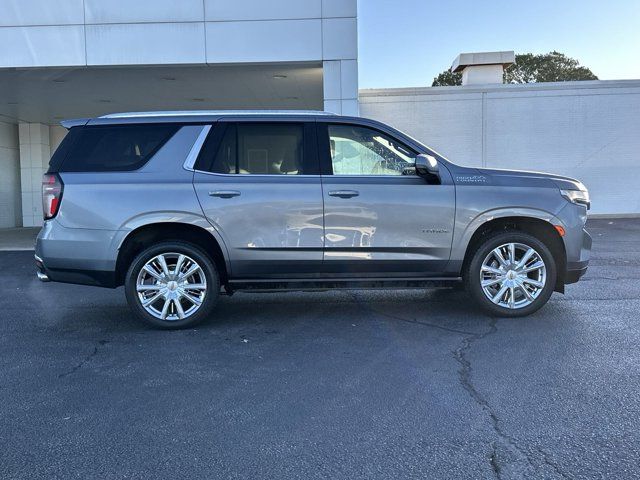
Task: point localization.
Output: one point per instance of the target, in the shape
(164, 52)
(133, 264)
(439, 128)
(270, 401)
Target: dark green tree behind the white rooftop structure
(530, 68)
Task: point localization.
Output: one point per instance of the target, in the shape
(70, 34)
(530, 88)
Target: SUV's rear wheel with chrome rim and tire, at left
(172, 285)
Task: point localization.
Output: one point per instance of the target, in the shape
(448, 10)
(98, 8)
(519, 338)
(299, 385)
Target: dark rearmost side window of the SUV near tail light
(115, 148)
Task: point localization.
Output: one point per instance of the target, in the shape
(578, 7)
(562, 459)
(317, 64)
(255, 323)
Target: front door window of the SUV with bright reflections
(363, 151)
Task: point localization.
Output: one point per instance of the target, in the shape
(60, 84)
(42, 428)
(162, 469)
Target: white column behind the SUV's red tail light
(35, 153)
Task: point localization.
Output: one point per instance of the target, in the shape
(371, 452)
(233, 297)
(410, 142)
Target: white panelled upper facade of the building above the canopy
(44, 33)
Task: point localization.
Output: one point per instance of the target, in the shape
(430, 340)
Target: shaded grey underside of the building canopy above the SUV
(49, 95)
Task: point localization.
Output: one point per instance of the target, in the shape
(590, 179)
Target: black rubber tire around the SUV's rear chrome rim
(200, 257)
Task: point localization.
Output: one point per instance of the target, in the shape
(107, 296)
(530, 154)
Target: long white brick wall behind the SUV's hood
(586, 130)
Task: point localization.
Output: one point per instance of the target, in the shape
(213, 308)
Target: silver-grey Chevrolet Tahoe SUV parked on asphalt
(180, 207)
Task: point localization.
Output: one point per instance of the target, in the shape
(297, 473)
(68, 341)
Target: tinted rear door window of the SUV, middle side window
(259, 148)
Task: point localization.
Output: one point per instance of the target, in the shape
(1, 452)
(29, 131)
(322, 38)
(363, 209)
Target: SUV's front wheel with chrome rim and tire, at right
(511, 274)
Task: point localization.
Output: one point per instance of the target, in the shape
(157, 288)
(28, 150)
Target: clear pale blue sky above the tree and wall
(406, 43)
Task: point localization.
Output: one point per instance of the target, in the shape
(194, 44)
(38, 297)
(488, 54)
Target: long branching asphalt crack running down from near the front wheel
(507, 441)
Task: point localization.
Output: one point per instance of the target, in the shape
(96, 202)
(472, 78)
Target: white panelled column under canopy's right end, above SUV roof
(340, 82)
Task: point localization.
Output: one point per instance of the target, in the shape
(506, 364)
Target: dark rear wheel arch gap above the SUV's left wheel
(149, 234)
